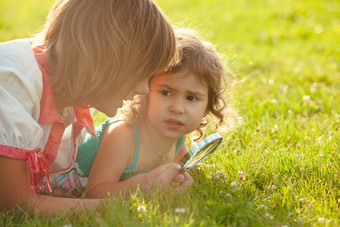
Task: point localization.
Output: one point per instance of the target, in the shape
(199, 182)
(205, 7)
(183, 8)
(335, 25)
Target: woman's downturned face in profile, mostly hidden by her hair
(110, 106)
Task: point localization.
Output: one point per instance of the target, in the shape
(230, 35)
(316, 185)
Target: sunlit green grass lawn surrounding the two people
(281, 166)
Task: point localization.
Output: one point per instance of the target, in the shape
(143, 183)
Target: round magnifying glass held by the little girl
(201, 151)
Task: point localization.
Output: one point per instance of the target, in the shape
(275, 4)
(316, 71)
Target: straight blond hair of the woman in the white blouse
(99, 48)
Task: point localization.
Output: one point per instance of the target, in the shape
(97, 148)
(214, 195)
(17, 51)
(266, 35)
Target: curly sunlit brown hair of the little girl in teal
(201, 59)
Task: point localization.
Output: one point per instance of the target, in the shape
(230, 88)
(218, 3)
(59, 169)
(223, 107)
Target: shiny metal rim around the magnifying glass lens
(200, 145)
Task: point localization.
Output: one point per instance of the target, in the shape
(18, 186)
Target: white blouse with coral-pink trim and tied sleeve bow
(31, 127)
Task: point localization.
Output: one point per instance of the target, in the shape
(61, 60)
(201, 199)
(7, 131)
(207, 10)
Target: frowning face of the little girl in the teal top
(177, 103)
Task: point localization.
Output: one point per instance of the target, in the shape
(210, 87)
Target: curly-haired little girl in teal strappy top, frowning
(155, 126)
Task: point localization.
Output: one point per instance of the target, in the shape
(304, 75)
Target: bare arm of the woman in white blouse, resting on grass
(15, 190)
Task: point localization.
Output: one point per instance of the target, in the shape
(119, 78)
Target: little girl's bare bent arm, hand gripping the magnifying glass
(114, 155)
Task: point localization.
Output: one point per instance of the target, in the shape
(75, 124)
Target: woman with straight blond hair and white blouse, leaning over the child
(90, 54)
